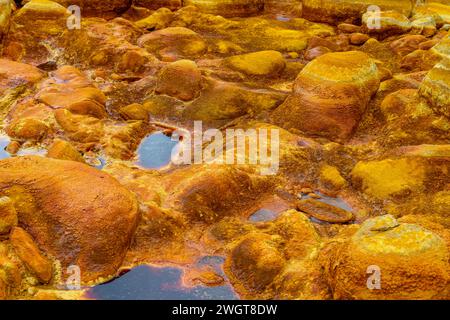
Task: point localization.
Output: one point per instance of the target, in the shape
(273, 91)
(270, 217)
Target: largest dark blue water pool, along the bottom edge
(151, 283)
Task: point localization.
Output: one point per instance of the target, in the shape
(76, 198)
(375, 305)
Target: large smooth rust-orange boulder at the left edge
(75, 213)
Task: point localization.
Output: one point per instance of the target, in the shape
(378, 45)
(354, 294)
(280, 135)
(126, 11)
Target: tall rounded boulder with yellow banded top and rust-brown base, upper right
(330, 95)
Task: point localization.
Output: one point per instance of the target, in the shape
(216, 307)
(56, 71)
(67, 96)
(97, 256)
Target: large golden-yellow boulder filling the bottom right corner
(410, 260)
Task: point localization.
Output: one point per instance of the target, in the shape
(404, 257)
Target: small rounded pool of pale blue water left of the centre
(155, 151)
